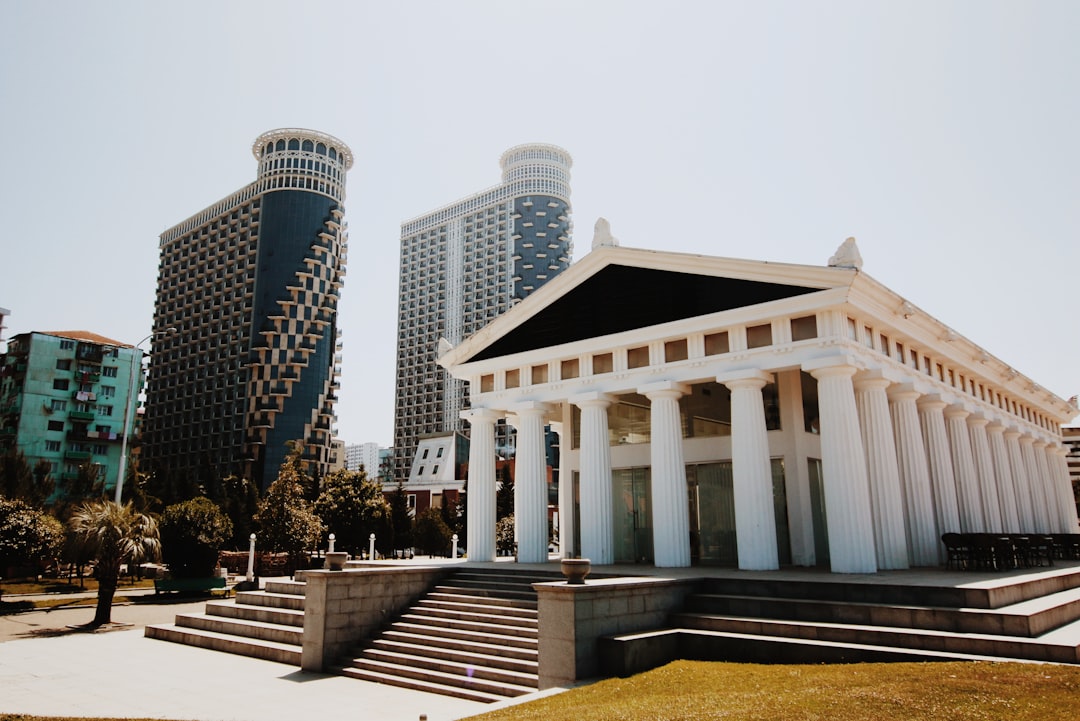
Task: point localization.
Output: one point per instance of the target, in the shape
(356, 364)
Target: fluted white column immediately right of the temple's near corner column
(887, 504)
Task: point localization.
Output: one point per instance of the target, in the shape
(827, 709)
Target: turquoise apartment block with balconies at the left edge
(66, 400)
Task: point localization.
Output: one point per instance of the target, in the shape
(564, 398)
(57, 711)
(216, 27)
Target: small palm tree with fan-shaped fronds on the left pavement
(114, 535)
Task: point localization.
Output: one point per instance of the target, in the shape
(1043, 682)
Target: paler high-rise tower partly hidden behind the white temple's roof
(462, 267)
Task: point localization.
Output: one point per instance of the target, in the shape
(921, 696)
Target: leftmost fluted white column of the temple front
(480, 496)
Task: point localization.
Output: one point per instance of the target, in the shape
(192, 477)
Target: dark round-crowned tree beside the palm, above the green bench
(193, 534)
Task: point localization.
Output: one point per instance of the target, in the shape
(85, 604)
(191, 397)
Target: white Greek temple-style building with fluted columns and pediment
(754, 415)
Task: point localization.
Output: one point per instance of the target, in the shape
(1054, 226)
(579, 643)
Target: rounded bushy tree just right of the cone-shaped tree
(353, 507)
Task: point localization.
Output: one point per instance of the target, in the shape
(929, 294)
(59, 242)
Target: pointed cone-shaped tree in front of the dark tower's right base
(286, 519)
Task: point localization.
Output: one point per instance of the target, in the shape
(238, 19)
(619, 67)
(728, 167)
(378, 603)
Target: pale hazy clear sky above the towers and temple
(943, 135)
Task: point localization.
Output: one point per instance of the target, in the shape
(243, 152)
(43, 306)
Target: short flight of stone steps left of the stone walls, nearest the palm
(266, 624)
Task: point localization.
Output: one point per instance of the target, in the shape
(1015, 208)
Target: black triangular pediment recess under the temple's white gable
(625, 298)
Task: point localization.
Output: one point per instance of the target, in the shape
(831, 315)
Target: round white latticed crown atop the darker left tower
(307, 160)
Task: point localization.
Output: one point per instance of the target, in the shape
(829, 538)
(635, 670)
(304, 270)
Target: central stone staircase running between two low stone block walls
(475, 637)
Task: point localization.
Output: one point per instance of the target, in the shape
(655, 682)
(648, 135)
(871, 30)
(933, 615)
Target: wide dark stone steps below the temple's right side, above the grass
(1031, 619)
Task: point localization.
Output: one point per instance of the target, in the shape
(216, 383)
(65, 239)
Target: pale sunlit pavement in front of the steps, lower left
(48, 670)
